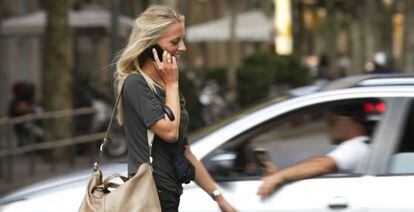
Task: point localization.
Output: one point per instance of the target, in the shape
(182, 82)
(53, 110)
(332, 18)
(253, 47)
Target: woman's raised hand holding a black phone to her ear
(167, 69)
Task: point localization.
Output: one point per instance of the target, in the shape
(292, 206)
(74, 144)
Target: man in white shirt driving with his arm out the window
(347, 129)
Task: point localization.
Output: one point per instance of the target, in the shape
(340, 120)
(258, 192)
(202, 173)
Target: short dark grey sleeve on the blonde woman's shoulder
(142, 99)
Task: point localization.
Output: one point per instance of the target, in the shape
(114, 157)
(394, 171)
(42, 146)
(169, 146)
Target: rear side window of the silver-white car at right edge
(403, 159)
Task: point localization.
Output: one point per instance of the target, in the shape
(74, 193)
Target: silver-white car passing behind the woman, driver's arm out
(287, 130)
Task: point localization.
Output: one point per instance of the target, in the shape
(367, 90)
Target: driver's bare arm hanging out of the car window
(305, 169)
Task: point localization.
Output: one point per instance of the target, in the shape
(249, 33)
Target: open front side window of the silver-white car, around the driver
(284, 140)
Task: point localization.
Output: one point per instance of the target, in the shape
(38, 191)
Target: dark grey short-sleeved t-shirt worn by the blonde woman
(142, 109)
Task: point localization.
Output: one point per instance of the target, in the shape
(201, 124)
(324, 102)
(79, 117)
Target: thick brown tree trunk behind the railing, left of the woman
(57, 76)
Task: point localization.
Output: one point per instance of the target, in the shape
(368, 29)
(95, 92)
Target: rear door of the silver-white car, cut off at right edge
(392, 163)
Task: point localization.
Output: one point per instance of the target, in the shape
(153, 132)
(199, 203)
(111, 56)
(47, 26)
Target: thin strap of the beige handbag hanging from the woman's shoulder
(150, 134)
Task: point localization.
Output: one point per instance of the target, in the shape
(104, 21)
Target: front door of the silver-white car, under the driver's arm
(289, 138)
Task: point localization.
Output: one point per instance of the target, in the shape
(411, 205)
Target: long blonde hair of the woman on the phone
(146, 31)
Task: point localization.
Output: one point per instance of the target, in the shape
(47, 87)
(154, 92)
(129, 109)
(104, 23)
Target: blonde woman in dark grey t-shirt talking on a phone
(151, 100)
